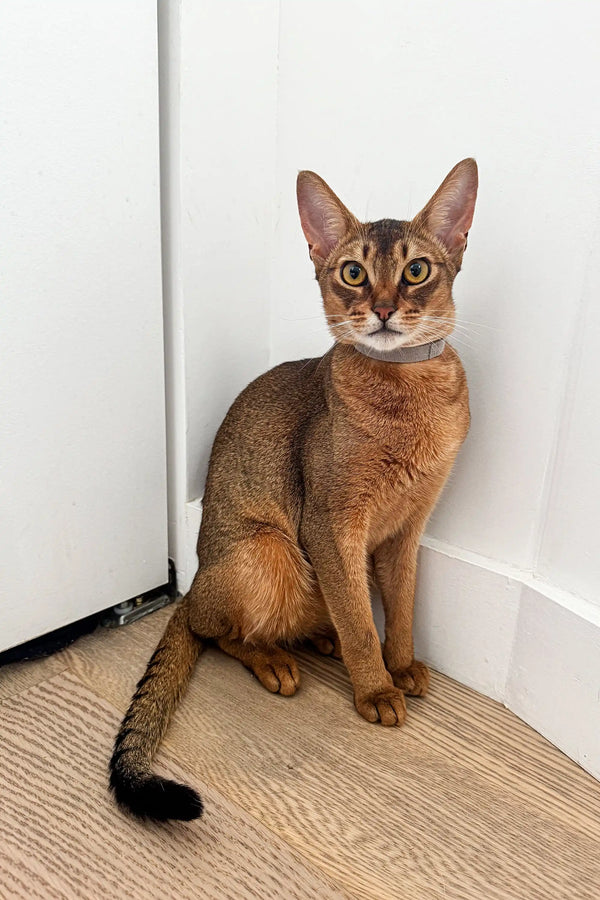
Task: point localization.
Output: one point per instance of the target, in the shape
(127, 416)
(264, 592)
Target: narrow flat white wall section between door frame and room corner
(228, 102)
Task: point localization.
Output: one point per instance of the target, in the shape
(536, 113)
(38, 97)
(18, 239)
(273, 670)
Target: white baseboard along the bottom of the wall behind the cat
(503, 632)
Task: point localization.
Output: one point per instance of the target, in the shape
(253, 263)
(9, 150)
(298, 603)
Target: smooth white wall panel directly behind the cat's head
(382, 103)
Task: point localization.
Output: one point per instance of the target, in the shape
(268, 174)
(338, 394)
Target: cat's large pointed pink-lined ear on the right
(449, 213)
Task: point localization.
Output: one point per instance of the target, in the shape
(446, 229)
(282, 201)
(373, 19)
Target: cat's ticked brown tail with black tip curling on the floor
(135, 786)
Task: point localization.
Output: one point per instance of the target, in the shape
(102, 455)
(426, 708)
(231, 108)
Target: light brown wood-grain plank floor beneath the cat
(303, 798)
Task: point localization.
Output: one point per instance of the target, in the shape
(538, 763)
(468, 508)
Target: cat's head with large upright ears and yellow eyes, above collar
(388, 284)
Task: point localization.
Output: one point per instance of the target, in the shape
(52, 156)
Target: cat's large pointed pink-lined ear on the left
(324, 218)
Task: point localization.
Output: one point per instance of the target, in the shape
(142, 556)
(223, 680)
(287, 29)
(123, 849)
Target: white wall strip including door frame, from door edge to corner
(219, 89)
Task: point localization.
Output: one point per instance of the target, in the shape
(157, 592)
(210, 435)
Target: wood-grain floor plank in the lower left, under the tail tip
(62, 837)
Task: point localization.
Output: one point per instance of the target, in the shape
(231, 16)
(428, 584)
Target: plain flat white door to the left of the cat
(83, 521)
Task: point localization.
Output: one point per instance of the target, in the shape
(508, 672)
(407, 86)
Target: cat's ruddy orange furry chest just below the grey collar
(398, 432)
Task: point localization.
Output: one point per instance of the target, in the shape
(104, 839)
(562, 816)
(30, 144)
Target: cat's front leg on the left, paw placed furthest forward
(338, 560)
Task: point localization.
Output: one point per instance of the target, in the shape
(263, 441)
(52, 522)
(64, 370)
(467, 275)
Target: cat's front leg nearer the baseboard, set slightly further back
(395, 572)
